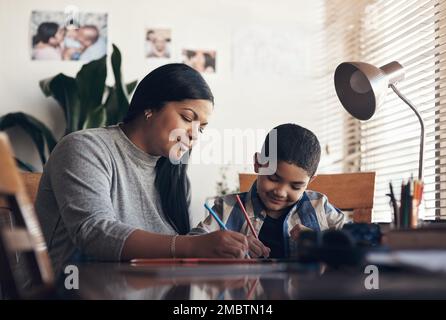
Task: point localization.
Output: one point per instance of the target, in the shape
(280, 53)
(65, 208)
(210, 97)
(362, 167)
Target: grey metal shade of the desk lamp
(362, 87)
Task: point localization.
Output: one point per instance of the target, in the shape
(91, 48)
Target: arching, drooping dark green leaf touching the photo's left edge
(39, 132)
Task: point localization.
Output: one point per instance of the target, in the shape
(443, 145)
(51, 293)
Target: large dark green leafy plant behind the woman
(86, 101)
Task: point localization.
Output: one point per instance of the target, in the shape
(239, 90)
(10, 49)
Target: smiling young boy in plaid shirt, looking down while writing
(278, 204)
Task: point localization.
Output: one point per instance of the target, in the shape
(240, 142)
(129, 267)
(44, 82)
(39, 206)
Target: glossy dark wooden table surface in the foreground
(266, 281)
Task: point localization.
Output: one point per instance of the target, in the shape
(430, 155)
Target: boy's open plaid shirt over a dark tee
(312, 210)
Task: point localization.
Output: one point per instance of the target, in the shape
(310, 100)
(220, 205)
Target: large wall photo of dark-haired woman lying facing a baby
(53, 37)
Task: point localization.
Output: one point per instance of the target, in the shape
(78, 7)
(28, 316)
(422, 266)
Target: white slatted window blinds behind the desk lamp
(378, 32)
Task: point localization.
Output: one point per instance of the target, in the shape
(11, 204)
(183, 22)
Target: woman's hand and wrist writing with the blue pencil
(219, 244)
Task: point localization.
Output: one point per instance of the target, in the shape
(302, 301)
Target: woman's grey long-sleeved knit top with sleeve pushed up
(96, 188)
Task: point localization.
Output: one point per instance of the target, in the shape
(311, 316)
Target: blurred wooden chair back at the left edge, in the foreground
(24, 239)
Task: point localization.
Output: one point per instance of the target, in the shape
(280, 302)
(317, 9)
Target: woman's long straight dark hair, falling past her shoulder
(171, 82)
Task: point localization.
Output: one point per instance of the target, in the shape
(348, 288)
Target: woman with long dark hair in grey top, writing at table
(118, 193)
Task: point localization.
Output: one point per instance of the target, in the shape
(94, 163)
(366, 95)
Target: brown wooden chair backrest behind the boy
(347, 191)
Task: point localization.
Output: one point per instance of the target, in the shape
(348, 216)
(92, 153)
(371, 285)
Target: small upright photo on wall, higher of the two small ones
(158, 43)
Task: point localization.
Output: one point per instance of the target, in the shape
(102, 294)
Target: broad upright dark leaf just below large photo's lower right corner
(90, 81)
